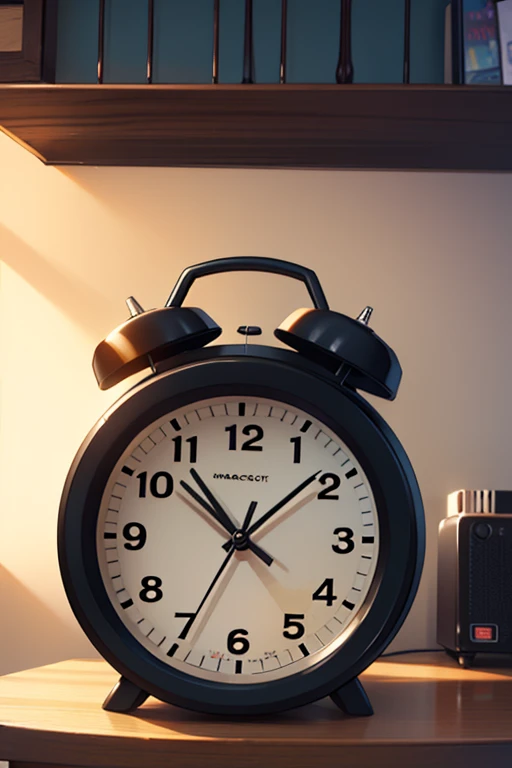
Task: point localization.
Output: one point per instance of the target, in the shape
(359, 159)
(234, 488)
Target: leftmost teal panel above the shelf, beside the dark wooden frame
(77, 46)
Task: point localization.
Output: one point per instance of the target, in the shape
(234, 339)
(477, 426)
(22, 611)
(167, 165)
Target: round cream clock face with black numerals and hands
(237, 540)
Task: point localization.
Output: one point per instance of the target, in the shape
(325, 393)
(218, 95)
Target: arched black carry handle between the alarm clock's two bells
(248, 264)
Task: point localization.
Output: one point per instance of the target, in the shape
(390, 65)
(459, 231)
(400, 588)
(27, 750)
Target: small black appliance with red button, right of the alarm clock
(474, 585)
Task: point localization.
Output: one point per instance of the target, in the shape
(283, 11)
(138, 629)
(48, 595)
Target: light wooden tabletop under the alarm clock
(428, 712)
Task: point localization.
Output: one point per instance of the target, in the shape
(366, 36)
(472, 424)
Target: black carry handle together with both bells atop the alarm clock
(344, 346)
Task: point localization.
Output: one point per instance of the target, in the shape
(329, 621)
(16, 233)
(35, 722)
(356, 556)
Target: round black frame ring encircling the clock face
(284, 376)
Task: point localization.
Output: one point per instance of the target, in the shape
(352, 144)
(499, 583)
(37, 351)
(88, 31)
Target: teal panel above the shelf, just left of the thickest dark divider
(313, 40)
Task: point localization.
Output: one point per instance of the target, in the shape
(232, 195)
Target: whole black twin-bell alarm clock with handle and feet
(241, 532)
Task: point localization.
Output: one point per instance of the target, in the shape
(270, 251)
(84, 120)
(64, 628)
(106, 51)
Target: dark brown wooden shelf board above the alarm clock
(280, 126)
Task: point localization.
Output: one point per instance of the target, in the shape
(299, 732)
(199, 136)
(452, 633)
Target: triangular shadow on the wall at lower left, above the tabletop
(33, 635)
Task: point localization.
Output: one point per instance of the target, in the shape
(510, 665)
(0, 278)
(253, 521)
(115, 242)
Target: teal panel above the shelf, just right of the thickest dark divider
(378, 40)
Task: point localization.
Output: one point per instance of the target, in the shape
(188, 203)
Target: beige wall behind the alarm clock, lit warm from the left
(429, 251)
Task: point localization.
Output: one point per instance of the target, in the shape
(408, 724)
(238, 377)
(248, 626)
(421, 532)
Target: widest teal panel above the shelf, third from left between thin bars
(183, 41)
